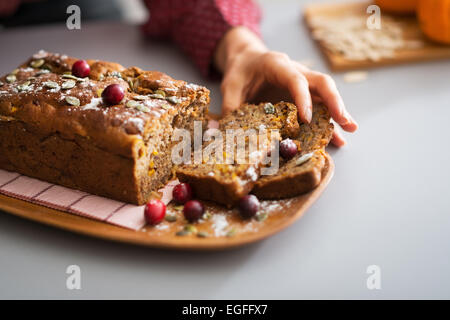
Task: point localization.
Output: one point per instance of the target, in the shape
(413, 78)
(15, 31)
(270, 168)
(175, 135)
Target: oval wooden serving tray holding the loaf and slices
(281, 214)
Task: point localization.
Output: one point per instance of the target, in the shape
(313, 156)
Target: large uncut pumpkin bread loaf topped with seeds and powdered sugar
(56, 127)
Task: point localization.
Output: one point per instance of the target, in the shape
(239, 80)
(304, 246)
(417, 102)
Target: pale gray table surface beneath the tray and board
(388, 204)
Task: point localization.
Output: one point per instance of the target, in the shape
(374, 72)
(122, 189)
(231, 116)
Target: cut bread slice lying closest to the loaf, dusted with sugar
(227, 183)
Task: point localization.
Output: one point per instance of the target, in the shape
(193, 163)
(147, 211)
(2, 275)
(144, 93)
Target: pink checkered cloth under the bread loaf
(77, 202)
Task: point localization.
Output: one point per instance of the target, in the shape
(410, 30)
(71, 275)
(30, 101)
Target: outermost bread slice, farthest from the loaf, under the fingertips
(304, 172)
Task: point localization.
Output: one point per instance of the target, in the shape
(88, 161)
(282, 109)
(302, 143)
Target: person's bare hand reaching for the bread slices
(248, 66)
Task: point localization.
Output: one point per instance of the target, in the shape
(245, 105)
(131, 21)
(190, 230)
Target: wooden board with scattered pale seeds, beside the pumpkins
(411, 31)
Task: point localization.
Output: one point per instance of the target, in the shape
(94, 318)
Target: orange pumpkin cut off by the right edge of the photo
(434, 19)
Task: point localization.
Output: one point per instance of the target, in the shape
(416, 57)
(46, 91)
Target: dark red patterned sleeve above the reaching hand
(197, 26)
